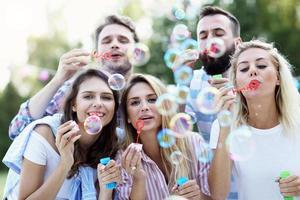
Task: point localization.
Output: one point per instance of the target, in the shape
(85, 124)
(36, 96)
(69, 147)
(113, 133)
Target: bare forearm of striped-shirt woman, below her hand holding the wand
(138, 191)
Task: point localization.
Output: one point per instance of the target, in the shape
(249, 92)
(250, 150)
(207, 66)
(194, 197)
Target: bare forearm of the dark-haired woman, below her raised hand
(49, 189)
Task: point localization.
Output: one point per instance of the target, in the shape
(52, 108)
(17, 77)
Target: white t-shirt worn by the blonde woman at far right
(273, 152)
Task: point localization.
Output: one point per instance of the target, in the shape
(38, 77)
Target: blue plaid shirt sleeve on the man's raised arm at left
(23, 118)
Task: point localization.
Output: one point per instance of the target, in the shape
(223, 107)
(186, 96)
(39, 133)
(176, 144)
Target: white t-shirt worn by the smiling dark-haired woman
(39, 151)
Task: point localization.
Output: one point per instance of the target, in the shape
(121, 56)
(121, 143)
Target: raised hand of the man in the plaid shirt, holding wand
(70, 63)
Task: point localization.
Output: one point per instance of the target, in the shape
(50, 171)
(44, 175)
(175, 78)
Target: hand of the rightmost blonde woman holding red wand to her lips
(225, 99)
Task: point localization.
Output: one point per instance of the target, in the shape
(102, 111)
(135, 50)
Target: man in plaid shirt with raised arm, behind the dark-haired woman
(114, 37)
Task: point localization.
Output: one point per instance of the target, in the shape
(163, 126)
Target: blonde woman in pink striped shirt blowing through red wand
(148, 169)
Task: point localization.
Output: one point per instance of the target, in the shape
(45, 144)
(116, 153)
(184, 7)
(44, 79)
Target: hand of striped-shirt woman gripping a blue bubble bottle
(189, 190)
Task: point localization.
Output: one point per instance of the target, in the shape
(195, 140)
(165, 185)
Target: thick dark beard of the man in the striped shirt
(214, 66)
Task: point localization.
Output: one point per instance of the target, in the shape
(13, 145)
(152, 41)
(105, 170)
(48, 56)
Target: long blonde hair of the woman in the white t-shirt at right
(286, 93)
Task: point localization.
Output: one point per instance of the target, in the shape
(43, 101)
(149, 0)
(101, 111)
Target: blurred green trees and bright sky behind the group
(35, 33)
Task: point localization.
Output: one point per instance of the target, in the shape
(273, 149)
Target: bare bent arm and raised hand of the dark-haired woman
(32, 183)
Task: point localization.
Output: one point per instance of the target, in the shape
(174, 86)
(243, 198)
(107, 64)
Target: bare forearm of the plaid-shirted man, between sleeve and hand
(38, 103)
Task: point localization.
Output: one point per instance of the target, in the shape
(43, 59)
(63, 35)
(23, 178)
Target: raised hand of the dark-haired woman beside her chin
(67, 135)
